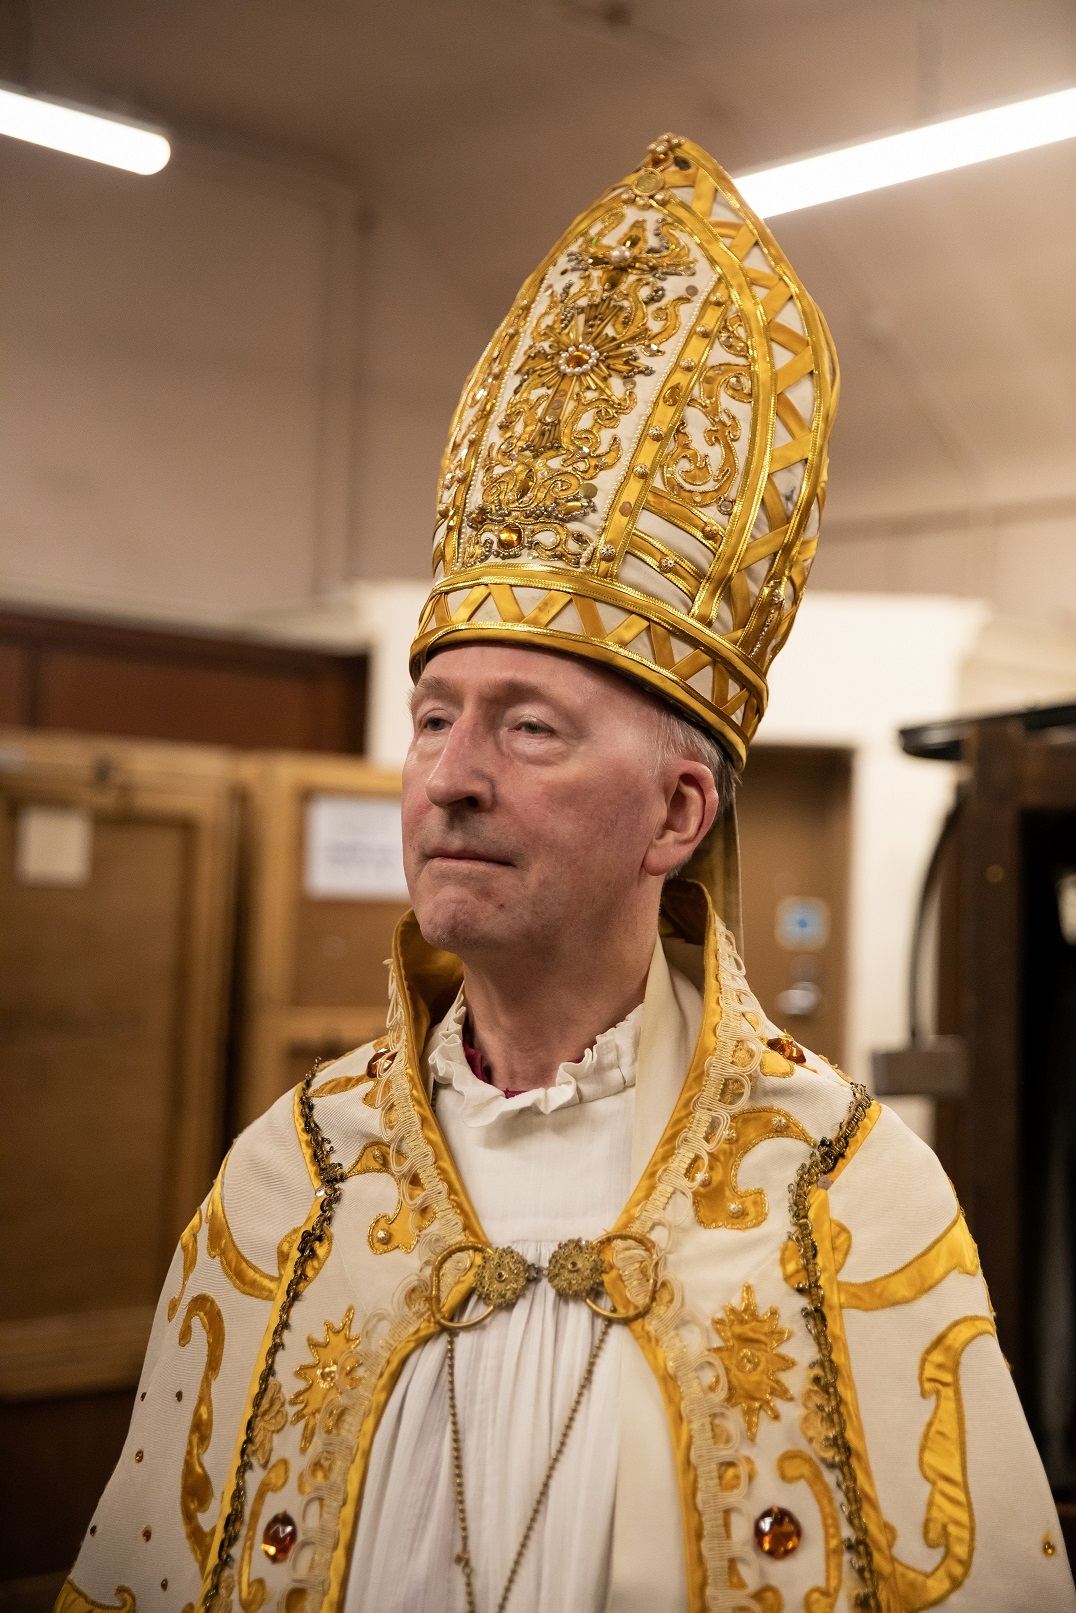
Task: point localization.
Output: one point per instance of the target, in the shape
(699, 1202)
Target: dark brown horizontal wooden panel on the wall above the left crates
(98, 678)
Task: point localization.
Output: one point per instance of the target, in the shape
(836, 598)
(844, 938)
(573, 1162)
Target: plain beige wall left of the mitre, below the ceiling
(223, 390)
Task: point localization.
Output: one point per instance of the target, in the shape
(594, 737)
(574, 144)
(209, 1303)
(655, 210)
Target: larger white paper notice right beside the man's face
(354, 849)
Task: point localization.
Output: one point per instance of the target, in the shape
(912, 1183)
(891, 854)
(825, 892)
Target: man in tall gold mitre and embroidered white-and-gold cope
(586, 1286)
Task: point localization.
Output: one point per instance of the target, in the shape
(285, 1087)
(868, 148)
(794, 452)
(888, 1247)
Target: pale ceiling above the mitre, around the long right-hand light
(488, 123)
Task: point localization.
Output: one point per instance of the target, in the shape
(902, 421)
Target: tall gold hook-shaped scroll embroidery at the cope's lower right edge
(949, 1519)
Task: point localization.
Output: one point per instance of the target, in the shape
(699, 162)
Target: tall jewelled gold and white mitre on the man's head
(638, 464)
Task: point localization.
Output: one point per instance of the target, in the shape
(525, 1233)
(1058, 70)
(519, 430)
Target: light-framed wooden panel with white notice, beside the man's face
(314, 959)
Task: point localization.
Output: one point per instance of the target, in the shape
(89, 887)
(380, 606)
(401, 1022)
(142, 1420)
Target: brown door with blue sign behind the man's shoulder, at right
(794, 843)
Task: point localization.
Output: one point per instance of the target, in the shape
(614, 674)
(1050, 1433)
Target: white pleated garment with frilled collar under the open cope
(541, 1169)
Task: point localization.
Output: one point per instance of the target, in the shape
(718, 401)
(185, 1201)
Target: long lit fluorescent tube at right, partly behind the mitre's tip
(932, 149)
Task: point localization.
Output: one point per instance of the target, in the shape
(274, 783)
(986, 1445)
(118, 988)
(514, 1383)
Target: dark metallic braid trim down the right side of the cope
(822, 1162)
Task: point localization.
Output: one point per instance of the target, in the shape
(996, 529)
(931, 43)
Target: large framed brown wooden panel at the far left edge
(112, 1002)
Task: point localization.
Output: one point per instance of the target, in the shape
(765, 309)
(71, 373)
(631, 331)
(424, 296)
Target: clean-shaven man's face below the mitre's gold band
(530, 798)
